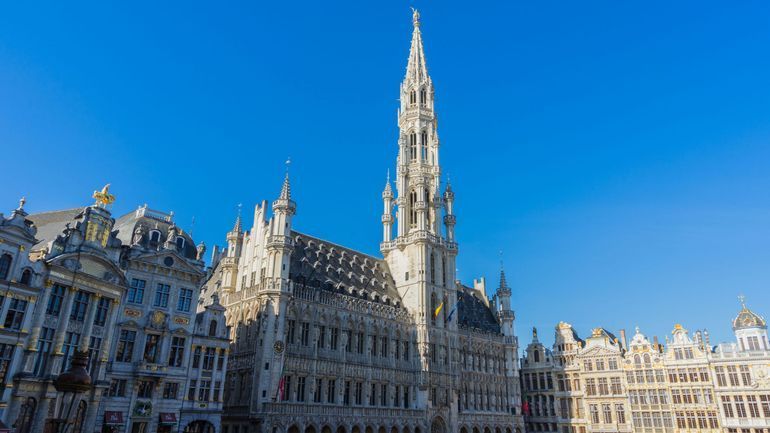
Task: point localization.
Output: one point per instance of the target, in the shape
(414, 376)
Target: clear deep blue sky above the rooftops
(616, 152)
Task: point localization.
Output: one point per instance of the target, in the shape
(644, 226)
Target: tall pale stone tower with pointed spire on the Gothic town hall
(422, 254)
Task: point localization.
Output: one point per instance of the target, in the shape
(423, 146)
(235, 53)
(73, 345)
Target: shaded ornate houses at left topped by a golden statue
(126, 292)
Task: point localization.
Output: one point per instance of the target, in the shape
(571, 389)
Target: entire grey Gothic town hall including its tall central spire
(325, 338)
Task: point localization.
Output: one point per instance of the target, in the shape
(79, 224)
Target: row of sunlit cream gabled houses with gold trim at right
(604, 384)
